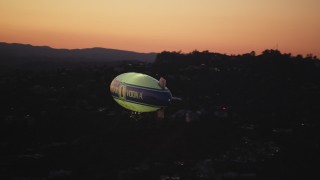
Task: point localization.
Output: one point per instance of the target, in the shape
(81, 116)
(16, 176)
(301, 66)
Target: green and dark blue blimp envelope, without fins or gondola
(139, 92)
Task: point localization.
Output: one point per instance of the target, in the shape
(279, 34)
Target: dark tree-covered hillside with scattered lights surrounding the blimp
(242, 117)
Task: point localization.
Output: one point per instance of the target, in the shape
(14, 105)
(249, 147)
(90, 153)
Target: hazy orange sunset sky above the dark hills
(225, 26)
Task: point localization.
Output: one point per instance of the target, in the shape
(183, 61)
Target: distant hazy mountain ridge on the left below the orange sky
(27, 51)
